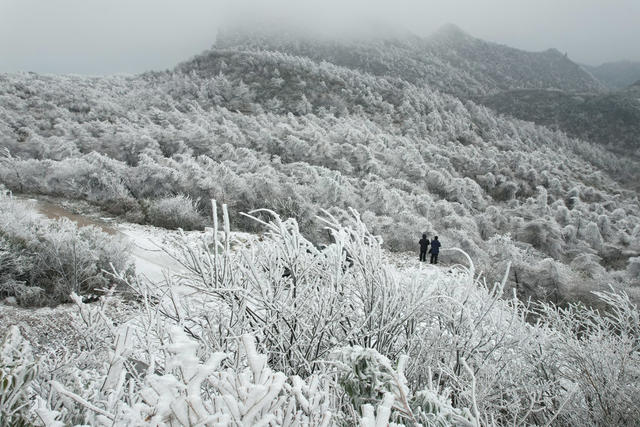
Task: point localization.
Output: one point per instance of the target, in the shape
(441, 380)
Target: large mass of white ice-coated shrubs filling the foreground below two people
(342, 331)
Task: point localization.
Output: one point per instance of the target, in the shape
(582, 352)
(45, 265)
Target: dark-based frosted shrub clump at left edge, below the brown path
(46, 260)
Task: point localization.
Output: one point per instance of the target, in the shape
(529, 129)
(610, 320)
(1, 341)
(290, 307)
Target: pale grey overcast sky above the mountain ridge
(126, 36)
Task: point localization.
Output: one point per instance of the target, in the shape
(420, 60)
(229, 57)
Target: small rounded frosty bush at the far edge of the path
(177, 211)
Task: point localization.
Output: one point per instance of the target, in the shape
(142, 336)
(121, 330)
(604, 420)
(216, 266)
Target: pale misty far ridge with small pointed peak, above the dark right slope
(449, 60)
